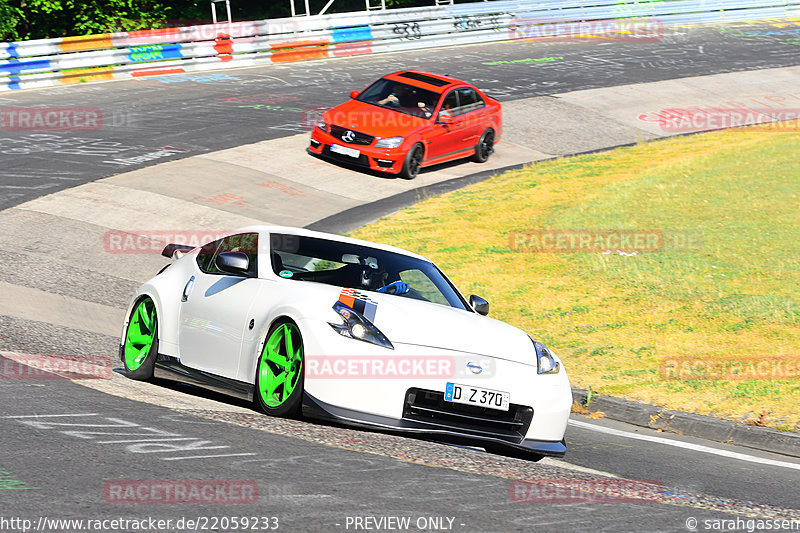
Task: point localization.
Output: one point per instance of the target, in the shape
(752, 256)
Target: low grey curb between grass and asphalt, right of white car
(704, 427)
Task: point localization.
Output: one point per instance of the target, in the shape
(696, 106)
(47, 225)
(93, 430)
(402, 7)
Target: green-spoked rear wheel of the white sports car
(140, 351)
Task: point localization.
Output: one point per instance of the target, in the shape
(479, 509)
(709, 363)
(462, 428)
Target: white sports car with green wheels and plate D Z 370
(330, 327)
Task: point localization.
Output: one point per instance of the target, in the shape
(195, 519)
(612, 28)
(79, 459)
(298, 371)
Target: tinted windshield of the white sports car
(361, 267)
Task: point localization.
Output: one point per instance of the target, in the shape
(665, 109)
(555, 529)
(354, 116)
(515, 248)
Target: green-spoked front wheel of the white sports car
(279, 375)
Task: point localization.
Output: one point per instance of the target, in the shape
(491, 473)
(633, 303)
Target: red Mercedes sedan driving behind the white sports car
(409, 120)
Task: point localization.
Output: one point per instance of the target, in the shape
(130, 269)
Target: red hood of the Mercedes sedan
(372, 119)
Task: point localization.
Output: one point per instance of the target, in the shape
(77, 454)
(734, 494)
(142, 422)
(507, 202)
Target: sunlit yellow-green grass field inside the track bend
(721, 290)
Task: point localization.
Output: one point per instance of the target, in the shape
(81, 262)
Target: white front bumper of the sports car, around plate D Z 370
(537, 422)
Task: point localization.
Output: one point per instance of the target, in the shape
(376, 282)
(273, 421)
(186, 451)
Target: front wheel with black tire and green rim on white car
(290, 406)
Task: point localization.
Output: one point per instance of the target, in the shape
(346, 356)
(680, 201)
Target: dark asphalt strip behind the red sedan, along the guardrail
(169, 117)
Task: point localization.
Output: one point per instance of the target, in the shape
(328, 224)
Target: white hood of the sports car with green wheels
(408, 321)
